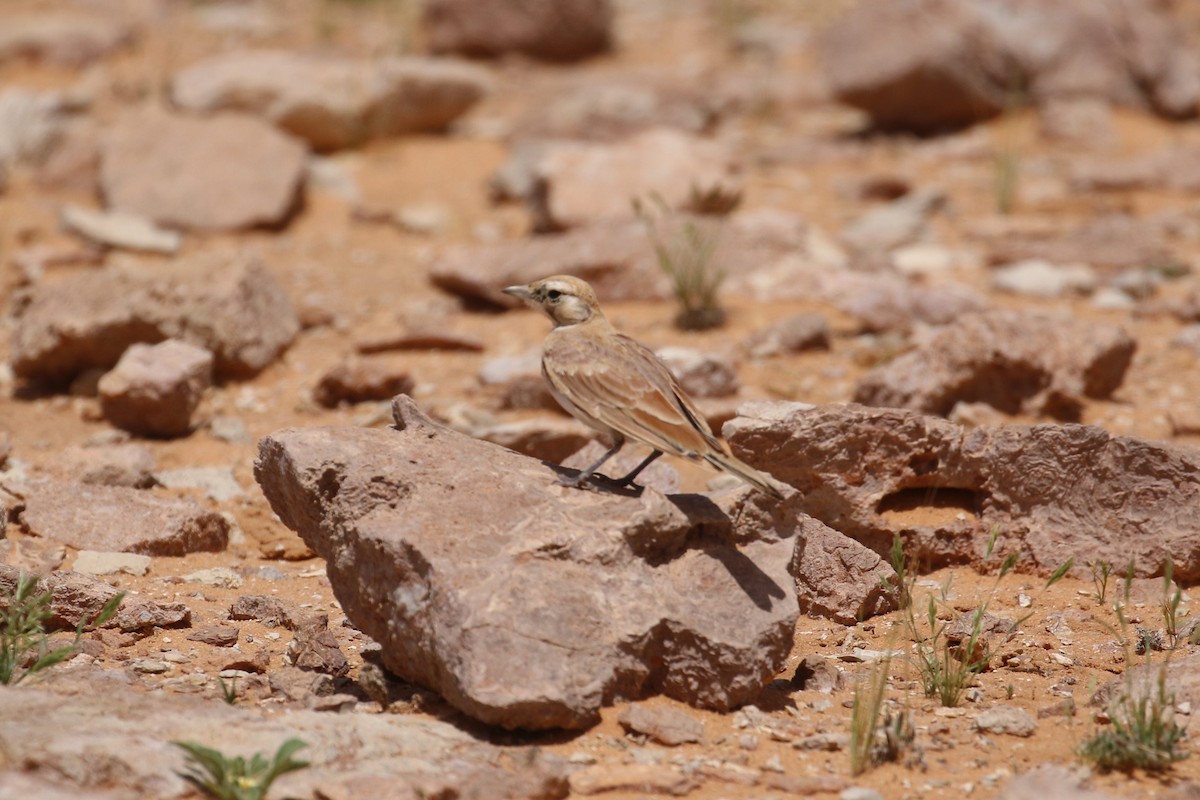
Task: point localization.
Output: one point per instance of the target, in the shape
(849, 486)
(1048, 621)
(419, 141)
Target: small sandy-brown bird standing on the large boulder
(620, 388)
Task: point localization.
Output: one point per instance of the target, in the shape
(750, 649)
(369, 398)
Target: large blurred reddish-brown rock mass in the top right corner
(909, 75)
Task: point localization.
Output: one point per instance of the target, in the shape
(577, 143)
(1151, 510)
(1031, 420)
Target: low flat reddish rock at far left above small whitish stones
(121, 520)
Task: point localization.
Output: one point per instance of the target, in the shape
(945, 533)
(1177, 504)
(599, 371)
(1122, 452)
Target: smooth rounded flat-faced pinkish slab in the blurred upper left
(226, 172)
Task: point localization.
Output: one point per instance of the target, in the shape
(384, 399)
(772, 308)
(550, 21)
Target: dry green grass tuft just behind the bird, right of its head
(688, 260)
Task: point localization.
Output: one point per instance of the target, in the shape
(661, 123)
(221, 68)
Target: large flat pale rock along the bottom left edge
(100, 738)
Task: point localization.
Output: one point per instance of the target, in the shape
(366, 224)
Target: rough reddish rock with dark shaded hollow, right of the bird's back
(1013, 360)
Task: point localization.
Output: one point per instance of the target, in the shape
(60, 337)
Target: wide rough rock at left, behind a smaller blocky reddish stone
(229, 305)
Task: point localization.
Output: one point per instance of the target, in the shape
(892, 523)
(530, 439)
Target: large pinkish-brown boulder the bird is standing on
(526, 604)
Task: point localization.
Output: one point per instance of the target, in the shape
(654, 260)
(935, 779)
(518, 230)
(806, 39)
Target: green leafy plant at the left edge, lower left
(25, 648)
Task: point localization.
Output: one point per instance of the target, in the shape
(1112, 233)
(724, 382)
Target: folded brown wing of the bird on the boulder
(626, 387)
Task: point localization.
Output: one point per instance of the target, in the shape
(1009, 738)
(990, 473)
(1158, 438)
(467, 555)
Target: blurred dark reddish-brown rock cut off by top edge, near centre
(555, 31)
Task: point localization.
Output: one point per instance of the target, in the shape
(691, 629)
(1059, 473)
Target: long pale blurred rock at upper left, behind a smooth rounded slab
(333, 103)
